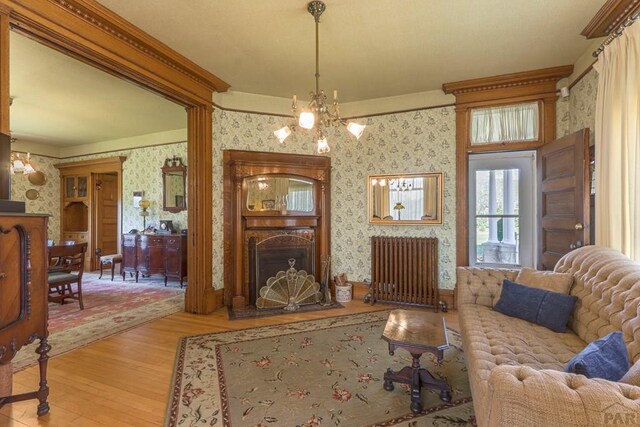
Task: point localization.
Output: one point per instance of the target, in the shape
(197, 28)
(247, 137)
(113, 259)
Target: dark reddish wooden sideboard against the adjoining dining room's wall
(149, 254)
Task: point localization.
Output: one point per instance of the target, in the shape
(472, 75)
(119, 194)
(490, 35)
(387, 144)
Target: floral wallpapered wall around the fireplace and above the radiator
(422, 141)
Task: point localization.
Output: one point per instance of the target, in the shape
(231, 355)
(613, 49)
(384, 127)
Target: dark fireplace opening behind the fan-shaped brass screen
(271, 255)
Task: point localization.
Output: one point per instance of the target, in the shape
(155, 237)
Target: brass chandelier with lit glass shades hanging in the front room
(318, 115)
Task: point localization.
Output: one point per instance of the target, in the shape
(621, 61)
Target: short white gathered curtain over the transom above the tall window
(518, 122)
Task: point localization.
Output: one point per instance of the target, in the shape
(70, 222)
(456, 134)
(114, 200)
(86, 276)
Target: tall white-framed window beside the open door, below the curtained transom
(501, 204)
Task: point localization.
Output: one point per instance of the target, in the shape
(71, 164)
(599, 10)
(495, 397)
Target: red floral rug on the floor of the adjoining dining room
(109, 308)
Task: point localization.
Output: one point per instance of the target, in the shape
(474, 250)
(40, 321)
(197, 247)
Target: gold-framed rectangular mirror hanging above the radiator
(408, 199)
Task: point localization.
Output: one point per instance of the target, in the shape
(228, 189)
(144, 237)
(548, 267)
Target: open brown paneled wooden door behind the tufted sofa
(563, 197)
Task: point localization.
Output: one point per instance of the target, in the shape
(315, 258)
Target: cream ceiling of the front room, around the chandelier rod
(369, 48)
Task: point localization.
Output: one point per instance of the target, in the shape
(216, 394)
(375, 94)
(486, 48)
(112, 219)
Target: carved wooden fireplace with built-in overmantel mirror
(276, 207)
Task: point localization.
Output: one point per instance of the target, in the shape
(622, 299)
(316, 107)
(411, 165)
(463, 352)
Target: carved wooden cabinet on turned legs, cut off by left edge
(23, 295)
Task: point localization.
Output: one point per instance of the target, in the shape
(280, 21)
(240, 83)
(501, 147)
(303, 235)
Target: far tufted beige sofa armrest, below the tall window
(480, 285)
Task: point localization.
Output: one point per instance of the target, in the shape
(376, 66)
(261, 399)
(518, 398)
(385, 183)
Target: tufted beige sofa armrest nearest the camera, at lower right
(523, 396)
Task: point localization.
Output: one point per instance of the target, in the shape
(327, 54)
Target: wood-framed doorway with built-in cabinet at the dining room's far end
(83, 210)
